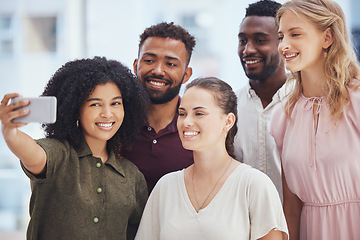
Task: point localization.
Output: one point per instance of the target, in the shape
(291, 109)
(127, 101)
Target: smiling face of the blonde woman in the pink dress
(301, 43)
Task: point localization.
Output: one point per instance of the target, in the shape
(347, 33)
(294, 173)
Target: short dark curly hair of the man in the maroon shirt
(170, 30)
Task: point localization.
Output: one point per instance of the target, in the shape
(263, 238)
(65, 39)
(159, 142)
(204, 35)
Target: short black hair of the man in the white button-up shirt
(263, 8)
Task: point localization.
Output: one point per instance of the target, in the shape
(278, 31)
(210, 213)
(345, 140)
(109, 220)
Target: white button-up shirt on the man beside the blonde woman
(253, 143)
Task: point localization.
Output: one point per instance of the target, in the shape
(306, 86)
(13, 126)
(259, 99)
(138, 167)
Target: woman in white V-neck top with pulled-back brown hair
(217, 197)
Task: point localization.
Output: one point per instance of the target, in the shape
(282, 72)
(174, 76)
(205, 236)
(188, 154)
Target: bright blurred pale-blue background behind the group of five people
(39, 36)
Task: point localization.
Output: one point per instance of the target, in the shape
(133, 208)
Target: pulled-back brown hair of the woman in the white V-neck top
(225, 98)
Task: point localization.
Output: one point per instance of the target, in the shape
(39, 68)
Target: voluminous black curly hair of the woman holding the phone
(74, 82)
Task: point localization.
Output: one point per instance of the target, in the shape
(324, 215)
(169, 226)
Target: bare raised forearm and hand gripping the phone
(22, 145)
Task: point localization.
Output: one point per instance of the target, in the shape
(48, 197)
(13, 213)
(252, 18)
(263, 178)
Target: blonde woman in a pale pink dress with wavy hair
(317, 128)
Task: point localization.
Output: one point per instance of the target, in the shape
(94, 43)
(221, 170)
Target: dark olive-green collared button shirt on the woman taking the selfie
(80, 197)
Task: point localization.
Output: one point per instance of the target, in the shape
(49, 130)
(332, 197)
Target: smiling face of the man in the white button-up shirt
(257, 49)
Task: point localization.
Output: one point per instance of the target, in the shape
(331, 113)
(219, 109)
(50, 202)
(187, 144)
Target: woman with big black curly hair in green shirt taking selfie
(81, 187)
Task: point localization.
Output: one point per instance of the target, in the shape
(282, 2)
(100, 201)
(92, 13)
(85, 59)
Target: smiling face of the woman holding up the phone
(102, 113)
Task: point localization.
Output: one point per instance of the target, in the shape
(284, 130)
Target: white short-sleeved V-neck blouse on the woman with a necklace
(246, 207)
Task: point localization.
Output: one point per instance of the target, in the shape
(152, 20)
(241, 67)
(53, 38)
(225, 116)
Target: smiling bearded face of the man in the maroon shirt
(162, 68)
